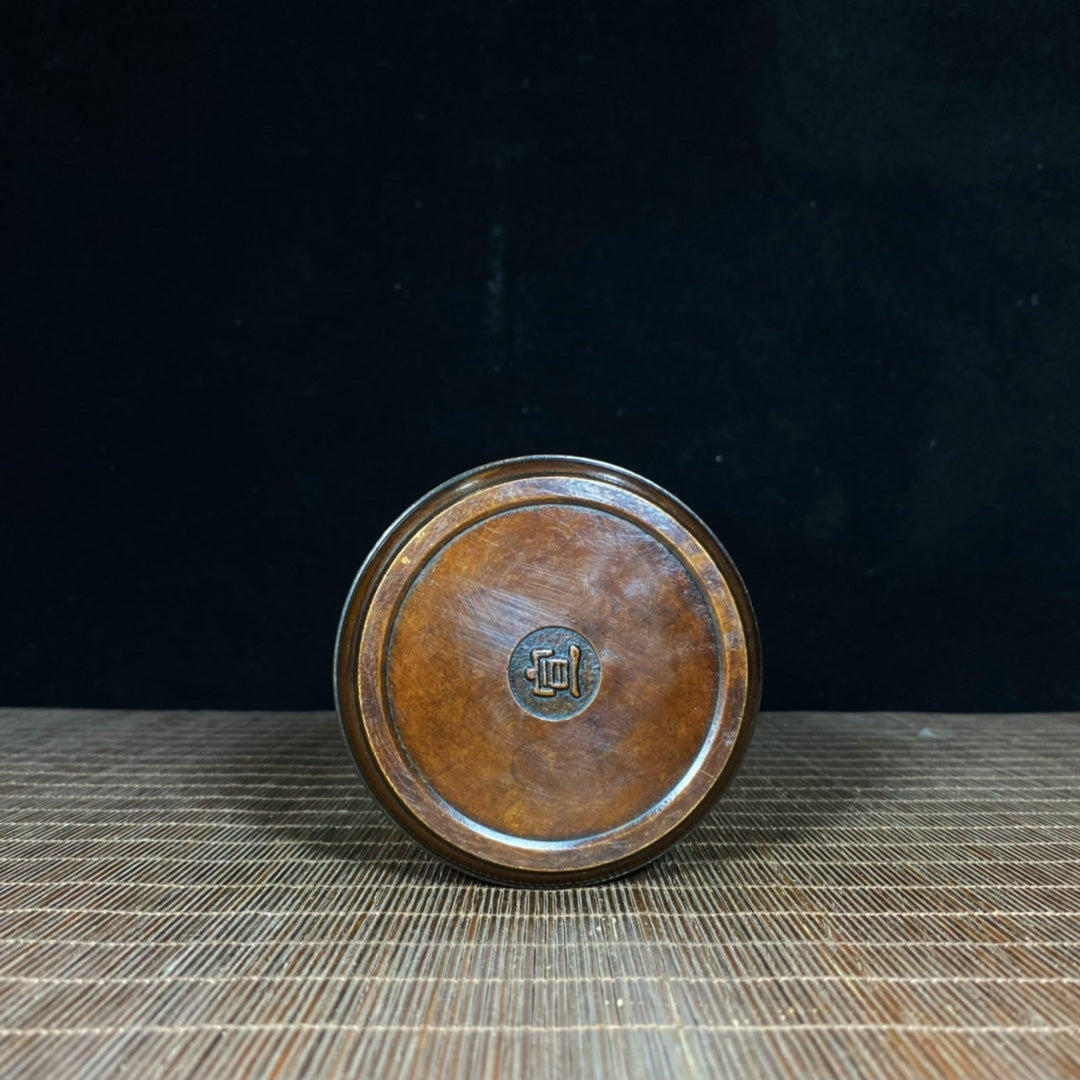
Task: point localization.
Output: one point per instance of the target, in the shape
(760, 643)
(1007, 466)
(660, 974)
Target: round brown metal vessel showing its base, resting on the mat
(547, 670)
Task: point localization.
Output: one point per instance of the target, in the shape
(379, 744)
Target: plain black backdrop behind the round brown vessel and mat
(273, 271)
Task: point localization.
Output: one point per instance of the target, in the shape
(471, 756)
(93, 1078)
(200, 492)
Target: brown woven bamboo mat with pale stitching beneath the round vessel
(215, 895)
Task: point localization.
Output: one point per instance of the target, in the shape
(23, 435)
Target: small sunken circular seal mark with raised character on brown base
(555, 673)
